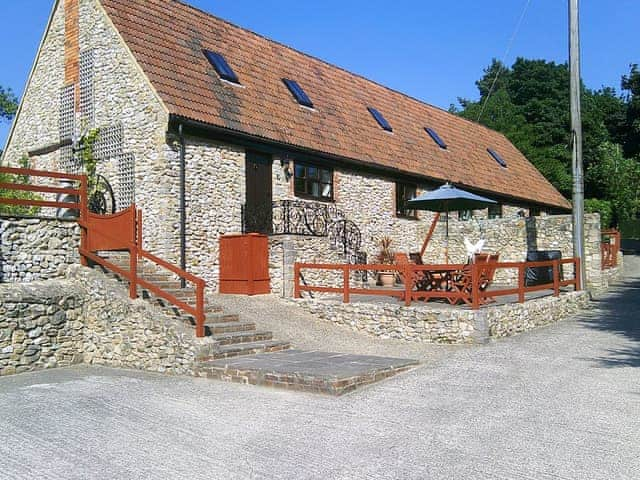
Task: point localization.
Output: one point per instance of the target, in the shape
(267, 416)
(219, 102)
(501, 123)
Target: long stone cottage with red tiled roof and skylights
(212, 129)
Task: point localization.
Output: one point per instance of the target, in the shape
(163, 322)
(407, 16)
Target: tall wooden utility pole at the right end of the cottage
(576, 137)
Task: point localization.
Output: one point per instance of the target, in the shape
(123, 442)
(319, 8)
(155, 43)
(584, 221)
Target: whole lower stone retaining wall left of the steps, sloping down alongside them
(89, 318)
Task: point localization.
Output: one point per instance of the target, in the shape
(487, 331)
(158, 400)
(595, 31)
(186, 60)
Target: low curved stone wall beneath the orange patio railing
(438, 324)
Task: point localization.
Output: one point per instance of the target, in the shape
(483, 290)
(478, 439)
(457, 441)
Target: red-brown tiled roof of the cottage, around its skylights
(167, 38)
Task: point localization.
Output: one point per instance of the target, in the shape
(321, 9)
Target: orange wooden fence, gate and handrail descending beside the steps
(119, 232)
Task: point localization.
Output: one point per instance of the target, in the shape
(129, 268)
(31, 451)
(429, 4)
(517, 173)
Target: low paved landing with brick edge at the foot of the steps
(313, 371)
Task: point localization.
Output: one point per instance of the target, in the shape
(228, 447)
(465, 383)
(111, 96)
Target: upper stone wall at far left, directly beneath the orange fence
(37, 248)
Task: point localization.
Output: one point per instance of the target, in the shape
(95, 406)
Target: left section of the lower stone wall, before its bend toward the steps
(40, 326)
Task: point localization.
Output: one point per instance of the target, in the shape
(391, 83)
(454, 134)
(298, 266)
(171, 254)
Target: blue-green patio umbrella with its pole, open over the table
(448, 198)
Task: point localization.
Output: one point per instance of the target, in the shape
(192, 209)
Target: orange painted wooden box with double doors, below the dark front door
(244, 264)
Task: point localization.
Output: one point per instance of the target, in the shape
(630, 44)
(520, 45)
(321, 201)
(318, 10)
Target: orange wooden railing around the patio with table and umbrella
(457, 291)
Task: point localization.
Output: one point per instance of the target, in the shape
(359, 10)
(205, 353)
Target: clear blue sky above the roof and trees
(431, 49)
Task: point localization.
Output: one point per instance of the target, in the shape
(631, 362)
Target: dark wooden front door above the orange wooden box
(258, 213)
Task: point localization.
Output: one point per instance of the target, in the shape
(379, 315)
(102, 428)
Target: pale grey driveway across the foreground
(562, 402)
